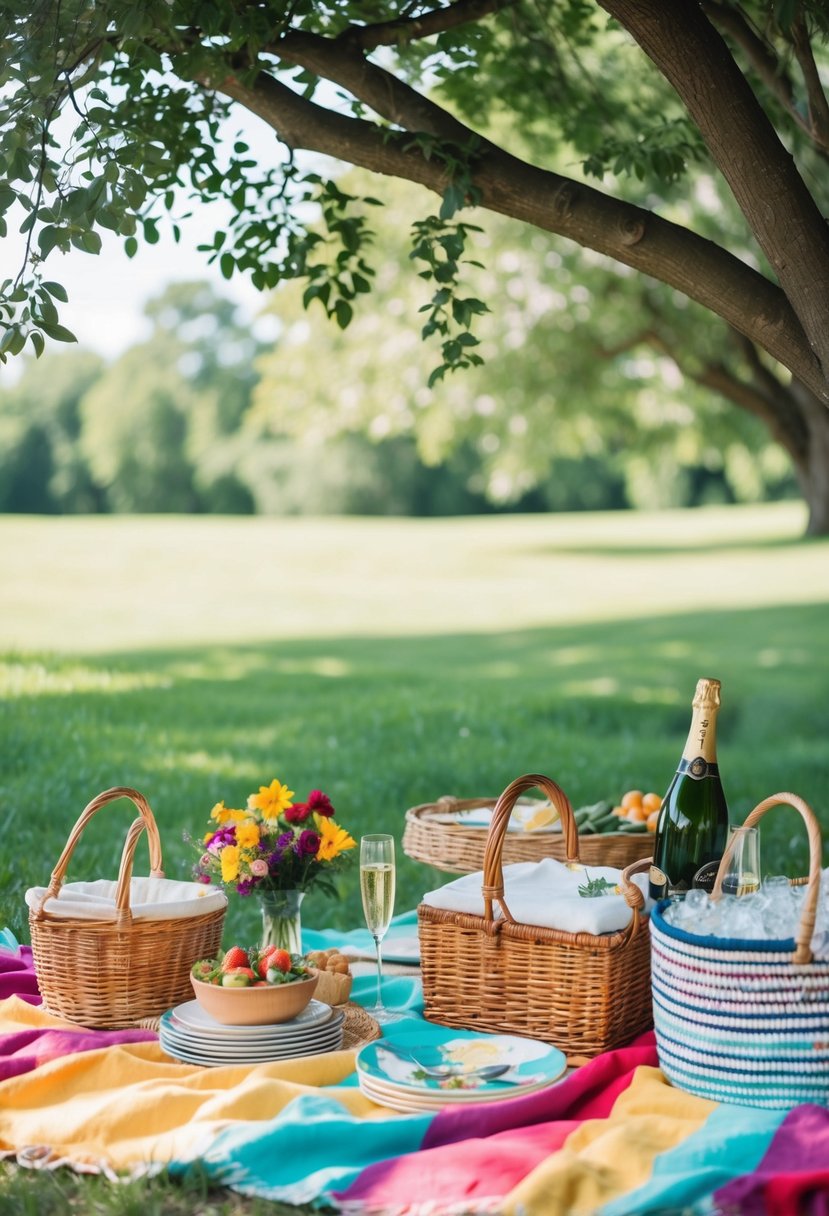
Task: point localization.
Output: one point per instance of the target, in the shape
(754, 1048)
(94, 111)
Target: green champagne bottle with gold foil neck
(693, 819)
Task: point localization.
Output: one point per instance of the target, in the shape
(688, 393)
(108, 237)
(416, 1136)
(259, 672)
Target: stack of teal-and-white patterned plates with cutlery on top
(390, 1077)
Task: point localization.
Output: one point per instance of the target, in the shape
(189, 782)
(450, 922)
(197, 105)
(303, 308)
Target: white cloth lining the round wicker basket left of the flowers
(151, 899)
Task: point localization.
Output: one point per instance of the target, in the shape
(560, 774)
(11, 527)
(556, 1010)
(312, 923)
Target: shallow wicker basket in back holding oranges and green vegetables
(460, 848)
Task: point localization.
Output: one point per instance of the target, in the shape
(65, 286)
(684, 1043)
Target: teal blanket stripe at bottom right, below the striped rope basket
(732, 1142)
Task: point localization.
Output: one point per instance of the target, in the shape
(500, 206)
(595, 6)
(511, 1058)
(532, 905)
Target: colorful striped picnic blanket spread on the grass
(613, 1139)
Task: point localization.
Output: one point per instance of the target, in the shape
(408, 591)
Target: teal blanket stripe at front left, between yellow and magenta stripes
(290, 1158)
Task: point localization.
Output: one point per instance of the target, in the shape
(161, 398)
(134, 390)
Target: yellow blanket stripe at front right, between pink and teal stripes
(608, 1158)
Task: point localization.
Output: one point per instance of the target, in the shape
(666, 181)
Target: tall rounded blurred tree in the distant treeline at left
(160, 425)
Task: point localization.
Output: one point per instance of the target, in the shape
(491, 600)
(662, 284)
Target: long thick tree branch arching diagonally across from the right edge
(504, 184)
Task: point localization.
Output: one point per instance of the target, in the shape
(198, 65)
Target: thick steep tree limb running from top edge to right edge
(763, 177)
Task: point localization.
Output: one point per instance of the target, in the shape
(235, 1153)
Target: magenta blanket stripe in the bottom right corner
(793, 1175)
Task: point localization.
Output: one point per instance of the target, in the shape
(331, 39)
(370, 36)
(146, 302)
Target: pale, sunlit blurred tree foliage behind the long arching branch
(568, 384)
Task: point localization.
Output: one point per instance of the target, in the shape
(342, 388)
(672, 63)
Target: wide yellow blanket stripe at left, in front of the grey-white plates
(133, 1106)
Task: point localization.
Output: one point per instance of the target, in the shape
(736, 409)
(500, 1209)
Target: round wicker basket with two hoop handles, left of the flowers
(121, 972)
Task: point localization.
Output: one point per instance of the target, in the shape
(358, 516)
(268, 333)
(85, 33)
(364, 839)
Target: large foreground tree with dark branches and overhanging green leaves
(475, 100)
